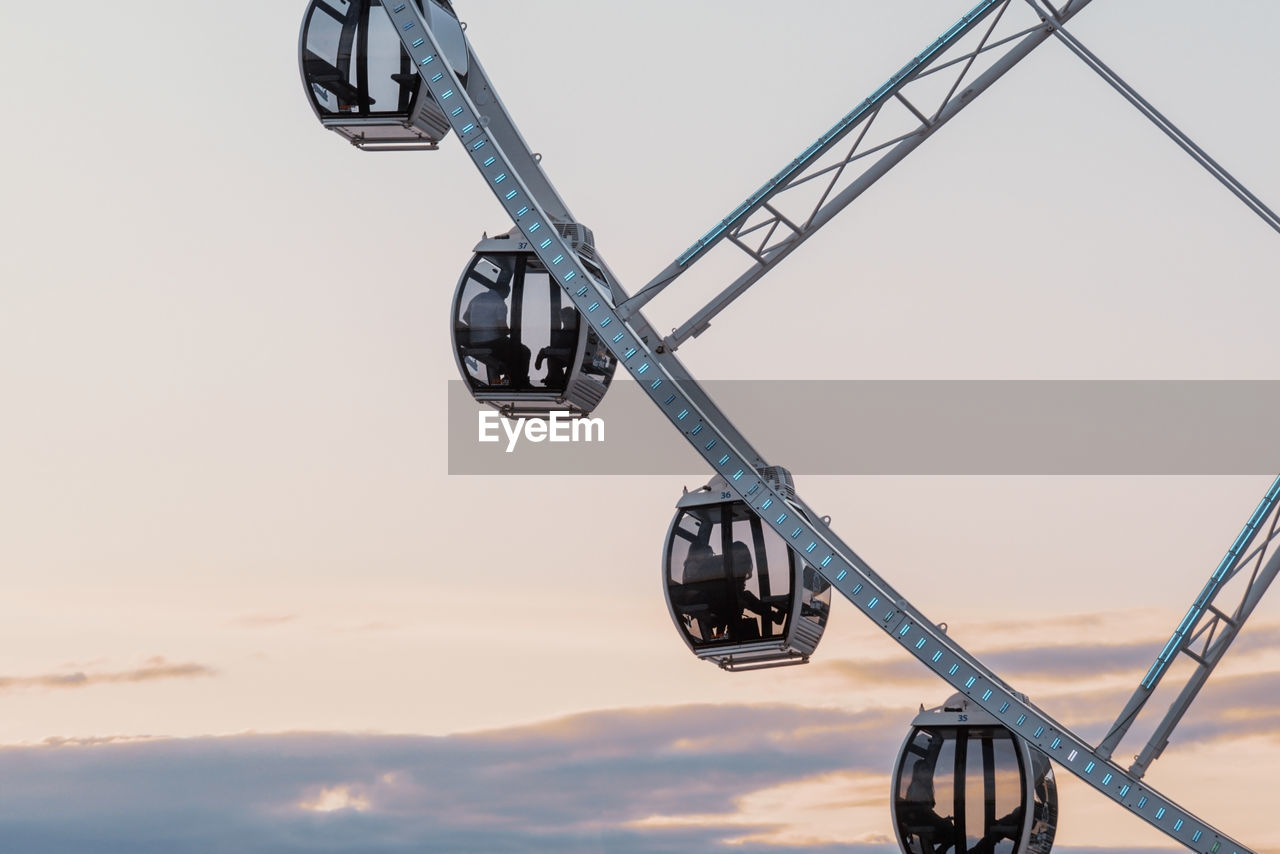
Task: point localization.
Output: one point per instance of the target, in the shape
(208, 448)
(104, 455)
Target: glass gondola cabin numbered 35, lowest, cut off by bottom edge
(966, 783)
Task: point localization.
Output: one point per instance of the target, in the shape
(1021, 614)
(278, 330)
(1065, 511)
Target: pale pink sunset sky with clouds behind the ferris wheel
(245, 606)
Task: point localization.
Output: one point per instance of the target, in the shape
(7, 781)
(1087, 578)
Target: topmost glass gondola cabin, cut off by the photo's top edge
(360, 81)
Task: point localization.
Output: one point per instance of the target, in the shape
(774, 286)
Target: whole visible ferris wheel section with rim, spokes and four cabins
(541, 326)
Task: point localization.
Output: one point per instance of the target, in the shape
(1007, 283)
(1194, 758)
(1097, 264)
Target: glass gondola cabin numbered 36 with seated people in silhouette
(738, 595)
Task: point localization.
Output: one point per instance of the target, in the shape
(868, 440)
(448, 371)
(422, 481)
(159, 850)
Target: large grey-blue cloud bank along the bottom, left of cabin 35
(666, 780)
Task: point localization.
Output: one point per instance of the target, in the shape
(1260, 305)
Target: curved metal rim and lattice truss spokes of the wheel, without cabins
(767, 232)
